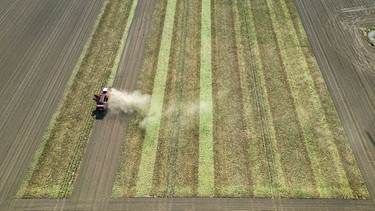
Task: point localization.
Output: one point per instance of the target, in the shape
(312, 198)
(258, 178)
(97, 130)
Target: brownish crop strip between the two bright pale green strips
(177, 161)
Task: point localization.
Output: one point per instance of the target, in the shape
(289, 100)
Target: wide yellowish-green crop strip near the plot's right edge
(330, 177)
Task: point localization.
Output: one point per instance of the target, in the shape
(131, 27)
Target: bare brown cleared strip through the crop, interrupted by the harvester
(97, 172)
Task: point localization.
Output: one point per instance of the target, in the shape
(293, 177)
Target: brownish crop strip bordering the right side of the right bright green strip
(232, 165)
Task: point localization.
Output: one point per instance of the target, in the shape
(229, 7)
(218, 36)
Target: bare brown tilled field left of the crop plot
(41, 41)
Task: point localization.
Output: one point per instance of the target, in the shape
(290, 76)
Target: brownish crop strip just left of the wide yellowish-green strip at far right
(294, 159)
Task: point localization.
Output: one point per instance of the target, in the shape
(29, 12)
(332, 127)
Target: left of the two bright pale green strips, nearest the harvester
(150, 143)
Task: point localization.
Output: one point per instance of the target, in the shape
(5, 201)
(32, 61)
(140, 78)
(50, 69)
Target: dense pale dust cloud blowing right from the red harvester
(129, 102)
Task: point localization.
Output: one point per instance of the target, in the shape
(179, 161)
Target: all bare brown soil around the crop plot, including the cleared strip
(41, 36)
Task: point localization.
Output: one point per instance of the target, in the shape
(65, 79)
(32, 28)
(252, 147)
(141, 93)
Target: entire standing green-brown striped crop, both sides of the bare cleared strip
(239, 108)
